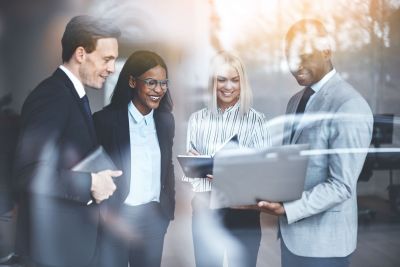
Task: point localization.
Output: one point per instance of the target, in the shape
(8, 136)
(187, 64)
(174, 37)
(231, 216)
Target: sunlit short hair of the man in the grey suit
(303, 26)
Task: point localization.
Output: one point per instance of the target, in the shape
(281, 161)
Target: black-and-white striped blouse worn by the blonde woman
(208, 131)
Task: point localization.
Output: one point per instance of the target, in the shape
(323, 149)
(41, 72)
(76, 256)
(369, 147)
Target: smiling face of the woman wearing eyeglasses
(146, 99)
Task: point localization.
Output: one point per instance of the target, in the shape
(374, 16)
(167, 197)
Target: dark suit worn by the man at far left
(55, 226)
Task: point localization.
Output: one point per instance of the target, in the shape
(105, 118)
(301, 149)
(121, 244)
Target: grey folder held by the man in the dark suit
(97, 160)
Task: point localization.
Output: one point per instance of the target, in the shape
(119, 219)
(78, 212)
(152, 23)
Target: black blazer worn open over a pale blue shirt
(112, 128)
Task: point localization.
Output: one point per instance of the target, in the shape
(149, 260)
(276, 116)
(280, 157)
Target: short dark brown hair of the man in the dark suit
(85, 31)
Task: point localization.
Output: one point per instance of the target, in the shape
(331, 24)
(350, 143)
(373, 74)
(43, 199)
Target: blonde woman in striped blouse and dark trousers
(229, 112)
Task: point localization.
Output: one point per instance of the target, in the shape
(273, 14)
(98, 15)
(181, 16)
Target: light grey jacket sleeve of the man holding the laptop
(348, 130)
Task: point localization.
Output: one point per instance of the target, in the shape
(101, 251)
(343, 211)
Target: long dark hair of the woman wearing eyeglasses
(138, 63)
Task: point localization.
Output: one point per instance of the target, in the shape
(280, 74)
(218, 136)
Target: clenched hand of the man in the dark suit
(103, 185)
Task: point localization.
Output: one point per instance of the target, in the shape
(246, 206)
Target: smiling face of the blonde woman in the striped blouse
(227, 86)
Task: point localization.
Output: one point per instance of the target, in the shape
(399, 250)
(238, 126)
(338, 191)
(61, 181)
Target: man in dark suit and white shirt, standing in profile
(58, 219)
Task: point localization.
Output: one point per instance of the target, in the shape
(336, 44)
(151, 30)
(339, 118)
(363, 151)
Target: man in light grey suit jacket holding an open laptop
(320, 228)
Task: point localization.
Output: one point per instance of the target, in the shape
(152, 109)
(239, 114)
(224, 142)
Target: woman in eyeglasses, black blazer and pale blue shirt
(137, 130)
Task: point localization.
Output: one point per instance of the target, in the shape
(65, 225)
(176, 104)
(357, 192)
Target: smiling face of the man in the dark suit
(99, 64)
